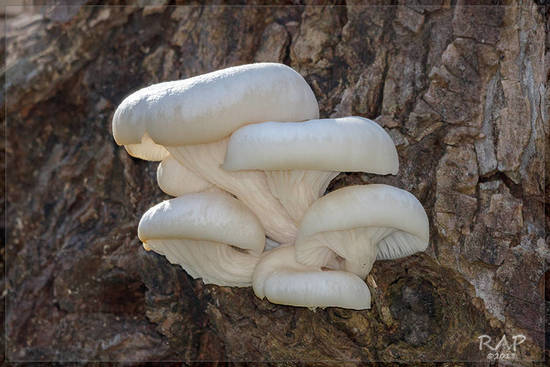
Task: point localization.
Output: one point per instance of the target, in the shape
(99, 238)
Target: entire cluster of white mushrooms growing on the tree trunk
(248, 160)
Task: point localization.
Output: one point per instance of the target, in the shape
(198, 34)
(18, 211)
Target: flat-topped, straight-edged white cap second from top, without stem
(341, 144)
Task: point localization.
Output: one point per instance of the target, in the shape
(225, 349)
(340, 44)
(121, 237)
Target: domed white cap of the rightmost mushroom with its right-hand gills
(364, 206)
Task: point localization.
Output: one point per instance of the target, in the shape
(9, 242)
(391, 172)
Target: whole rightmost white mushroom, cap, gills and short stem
(357, 225)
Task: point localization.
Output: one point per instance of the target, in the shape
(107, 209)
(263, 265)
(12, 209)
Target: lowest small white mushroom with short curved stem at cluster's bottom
(280, 279)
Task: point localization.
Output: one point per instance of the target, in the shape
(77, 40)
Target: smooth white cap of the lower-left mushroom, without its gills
(207, 216)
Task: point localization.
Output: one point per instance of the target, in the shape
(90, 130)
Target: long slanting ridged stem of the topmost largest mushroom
(250, 187)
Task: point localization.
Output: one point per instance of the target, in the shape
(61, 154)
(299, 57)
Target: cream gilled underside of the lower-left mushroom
(214, 262)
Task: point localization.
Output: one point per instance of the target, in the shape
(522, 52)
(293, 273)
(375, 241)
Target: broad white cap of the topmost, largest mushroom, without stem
(209, 107)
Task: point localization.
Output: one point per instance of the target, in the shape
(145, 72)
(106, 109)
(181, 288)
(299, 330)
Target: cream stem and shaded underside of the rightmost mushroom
(324, 247)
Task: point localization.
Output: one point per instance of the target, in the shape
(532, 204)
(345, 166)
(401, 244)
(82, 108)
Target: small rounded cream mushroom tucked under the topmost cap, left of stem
(176, 180)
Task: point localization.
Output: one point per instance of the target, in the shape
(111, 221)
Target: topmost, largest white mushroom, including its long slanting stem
(193, 118)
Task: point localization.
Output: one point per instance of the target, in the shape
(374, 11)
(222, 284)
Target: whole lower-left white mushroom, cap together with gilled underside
(211, 235)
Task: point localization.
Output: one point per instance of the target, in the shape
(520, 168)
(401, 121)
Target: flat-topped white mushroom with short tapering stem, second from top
(300, 159)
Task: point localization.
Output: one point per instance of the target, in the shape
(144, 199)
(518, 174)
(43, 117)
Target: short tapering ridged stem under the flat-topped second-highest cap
(298, 189)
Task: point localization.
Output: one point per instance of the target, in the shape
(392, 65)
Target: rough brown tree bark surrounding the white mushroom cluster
(461, 89)
